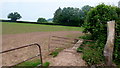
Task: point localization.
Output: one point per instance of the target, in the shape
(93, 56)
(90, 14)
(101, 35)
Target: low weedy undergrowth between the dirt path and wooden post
(91, 54)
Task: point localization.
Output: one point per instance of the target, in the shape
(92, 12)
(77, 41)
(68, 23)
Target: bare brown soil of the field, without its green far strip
(16, 40)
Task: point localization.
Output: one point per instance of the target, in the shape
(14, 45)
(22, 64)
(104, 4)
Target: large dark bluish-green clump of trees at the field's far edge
(71, 16)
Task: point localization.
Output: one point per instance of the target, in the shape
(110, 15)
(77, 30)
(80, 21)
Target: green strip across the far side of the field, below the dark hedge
(16, 28)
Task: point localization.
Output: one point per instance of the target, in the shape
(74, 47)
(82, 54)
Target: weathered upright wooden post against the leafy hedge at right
(108, 50)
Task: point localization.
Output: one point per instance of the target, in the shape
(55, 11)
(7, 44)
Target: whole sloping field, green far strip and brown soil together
(19, 34)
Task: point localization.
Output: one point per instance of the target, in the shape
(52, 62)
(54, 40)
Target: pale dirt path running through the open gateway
(68, 57)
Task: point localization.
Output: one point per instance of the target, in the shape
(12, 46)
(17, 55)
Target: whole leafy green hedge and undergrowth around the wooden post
(96, 25)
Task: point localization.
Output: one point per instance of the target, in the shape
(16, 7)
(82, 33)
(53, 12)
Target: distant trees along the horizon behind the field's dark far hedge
(66, 16)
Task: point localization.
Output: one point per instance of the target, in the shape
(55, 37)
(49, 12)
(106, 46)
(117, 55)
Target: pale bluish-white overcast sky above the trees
(31, 10)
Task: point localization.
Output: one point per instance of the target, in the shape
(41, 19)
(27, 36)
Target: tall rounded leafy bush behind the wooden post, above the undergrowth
(96, 24)
